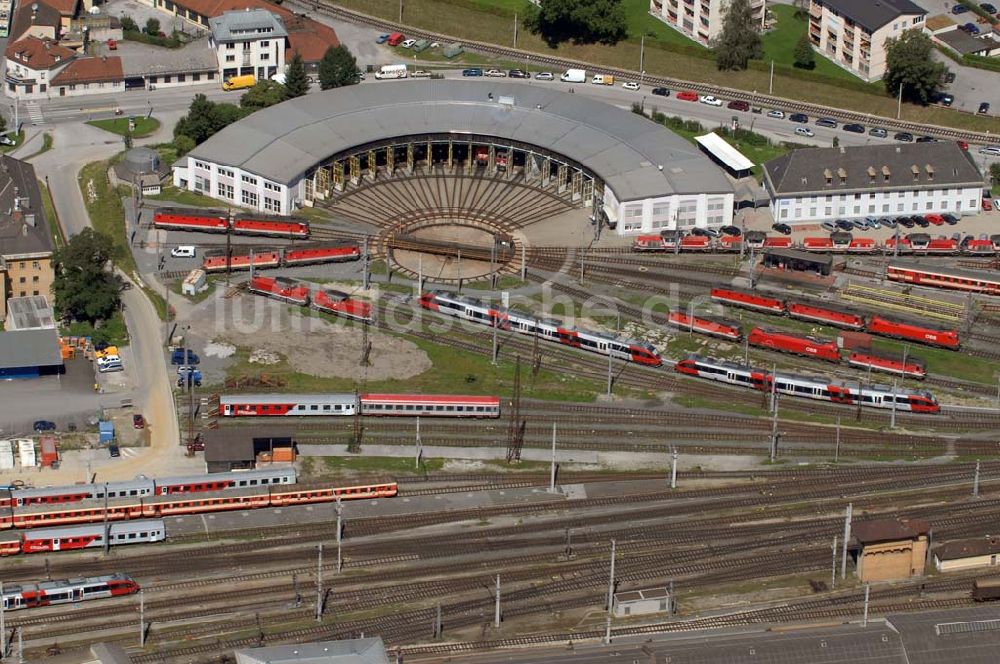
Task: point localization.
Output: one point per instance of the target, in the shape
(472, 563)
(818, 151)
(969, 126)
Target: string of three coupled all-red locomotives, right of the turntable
(880, 325)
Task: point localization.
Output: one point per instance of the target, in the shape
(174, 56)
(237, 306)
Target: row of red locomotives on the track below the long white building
(836, 243)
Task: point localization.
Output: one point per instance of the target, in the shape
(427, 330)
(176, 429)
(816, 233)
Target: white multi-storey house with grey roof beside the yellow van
(249, 42)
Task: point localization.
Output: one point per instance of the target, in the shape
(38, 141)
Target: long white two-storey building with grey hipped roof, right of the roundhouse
(821, 184)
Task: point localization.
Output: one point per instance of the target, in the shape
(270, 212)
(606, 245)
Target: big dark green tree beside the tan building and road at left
(85, 289)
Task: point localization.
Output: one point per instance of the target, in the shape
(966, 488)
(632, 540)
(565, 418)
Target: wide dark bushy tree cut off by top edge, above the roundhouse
(580, 21)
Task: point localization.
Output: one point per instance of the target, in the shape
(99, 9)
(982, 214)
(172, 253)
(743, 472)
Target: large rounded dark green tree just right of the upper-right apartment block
(909, 65)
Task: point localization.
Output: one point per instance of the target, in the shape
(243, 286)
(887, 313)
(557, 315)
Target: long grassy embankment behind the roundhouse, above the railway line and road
(666, 53)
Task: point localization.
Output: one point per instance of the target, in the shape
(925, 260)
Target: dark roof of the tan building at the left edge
(24, 230)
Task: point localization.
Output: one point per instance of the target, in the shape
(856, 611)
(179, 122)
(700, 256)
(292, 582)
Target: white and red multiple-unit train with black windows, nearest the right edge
(809, 387)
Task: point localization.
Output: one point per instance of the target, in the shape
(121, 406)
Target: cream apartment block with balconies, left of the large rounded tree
(852, 33)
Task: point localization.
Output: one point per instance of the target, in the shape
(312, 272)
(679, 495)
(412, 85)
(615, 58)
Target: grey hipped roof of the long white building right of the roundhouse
(820, 170)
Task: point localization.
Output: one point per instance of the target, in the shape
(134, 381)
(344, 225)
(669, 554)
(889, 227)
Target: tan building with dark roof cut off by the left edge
(25, 239)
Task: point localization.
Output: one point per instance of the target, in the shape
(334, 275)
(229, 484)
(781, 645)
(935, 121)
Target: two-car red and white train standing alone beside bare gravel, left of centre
(423, 405)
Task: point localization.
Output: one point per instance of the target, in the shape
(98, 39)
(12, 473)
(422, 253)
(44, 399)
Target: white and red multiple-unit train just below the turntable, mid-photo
(545, 329)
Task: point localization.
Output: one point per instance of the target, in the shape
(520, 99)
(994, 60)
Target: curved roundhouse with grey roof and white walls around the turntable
(640, 175)
